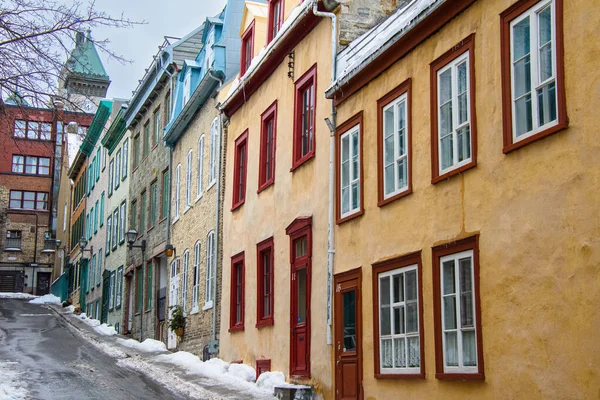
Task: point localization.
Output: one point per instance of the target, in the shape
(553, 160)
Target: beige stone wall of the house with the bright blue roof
(194, 224)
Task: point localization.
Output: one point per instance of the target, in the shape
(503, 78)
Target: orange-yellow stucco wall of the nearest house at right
(536, 210)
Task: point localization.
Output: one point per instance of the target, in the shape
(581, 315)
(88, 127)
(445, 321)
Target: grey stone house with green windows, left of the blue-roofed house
(146, 115)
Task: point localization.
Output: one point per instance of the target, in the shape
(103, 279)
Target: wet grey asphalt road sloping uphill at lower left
(55, 363)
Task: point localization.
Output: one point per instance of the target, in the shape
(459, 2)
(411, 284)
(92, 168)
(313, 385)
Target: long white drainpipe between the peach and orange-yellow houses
(331, 124)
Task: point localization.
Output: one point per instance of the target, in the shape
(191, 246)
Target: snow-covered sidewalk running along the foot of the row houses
(181, 372)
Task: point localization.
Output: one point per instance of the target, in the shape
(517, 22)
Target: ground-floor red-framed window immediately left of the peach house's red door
(265, 282)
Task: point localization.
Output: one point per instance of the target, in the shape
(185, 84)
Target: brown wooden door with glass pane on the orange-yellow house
(348, 336)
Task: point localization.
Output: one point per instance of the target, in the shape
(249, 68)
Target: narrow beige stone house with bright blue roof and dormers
(195, 136)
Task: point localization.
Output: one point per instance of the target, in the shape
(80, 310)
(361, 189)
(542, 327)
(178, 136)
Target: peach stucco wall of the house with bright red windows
(297, 194)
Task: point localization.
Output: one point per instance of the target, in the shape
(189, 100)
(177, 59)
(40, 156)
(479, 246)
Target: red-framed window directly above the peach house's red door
(304, 117)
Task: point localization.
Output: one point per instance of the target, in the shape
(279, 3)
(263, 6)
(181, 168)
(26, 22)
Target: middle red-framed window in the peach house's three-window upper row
(268, 132)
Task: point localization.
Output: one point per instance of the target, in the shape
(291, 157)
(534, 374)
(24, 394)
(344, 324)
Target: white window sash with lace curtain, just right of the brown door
(399, 339)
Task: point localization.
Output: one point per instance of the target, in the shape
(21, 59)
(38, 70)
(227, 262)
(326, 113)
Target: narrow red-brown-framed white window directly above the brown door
(349, 175)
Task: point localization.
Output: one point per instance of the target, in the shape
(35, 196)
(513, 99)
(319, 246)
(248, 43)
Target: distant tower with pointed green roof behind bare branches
(84, 81)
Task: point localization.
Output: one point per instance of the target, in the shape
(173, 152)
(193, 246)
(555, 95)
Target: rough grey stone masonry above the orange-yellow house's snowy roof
(358, 16)
